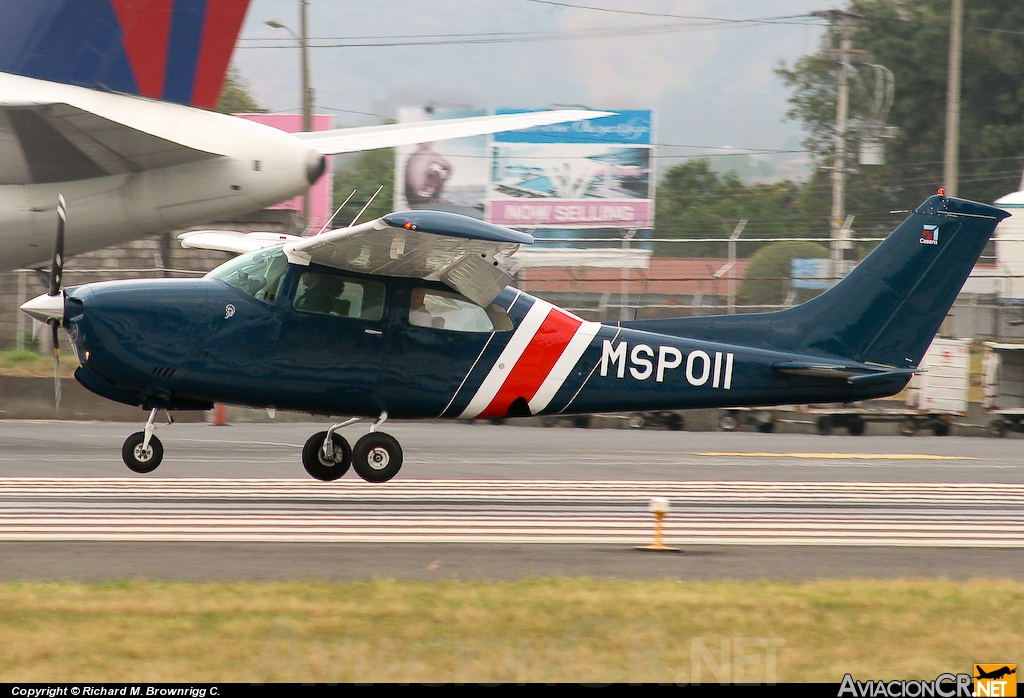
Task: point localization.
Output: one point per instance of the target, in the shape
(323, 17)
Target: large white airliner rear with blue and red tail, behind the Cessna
(132, 166)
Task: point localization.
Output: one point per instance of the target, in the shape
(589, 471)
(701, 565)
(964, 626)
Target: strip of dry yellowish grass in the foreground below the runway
(559, 630)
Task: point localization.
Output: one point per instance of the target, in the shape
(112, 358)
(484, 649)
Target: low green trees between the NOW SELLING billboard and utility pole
(695, 202)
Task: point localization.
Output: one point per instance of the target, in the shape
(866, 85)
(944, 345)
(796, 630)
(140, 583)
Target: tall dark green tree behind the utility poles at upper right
(912, 38)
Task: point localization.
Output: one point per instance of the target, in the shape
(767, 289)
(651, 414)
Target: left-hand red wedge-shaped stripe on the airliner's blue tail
(146, 29)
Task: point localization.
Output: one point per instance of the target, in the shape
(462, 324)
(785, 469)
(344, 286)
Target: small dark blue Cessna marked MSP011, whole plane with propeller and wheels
(410, 317)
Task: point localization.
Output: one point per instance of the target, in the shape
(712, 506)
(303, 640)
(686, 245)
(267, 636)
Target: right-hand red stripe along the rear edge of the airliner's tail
(221, 31)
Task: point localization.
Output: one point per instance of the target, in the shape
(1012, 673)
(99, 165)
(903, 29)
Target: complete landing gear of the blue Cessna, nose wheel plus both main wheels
(327, 456)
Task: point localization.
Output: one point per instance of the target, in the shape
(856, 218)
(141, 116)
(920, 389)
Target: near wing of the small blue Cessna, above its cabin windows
(464, 253)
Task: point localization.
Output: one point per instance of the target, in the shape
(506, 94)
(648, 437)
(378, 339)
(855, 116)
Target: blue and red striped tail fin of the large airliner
(177, 51)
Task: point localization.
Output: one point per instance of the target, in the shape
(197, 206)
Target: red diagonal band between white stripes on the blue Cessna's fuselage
(535, 364)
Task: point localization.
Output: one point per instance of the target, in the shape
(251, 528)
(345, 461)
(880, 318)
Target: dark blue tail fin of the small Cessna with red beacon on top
(887, 311)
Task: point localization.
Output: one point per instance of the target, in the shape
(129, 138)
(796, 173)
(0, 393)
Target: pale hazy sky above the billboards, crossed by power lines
(711, 84)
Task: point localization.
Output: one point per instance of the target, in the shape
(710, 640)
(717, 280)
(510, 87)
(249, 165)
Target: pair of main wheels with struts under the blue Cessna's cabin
(376, 457)
